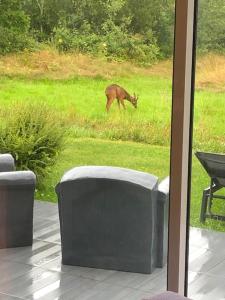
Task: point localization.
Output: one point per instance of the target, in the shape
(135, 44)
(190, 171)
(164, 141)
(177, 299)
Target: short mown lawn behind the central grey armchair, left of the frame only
(87, 151)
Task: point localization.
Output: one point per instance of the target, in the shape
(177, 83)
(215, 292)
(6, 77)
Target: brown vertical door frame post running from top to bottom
(181, 143)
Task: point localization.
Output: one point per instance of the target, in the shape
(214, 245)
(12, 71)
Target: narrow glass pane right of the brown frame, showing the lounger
(207, 237)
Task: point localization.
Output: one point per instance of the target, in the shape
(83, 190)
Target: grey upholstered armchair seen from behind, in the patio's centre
(109, 219)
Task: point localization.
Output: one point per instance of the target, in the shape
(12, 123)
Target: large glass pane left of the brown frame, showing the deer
(83, 84)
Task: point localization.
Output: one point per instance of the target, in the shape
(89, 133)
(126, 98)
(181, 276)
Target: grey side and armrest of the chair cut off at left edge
(16, 208)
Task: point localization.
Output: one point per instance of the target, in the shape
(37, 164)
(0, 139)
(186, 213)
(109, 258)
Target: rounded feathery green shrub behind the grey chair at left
(34, 135)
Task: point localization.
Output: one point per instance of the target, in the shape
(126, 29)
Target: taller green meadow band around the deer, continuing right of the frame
(82, 100)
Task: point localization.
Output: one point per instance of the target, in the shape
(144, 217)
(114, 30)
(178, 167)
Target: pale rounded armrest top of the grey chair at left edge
(18, 178)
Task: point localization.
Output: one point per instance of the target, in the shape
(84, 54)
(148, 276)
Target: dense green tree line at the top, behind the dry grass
(118, 29)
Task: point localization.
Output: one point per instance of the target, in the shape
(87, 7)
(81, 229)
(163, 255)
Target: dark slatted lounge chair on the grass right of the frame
(214, 165)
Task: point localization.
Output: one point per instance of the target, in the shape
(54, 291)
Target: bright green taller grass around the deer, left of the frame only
(83, 102)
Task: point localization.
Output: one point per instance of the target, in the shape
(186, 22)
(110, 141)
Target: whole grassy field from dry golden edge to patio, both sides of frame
(137, 139)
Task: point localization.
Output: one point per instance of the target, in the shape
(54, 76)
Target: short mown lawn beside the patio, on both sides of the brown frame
(142, 157)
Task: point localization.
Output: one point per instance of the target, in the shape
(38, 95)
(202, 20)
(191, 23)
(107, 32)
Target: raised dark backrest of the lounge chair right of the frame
(214, 164)
